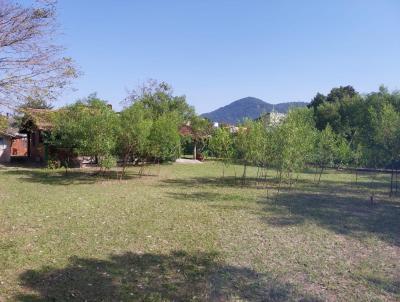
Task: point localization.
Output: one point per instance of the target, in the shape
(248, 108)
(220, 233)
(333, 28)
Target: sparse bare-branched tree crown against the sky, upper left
(30, 63)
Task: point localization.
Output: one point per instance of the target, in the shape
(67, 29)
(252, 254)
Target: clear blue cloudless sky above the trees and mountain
(217, 51)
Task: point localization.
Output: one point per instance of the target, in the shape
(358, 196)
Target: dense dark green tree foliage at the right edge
(367, 122)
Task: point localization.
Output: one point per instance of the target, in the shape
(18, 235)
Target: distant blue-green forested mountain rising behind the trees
(249, 107)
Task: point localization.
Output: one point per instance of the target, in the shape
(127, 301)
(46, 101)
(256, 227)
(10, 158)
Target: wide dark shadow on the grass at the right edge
(349, 215)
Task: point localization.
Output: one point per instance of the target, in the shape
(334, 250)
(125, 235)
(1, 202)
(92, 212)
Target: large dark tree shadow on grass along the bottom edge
(178, 276)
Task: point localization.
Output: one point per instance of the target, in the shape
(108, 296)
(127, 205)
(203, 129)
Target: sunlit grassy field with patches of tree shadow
(188, 235)
